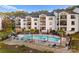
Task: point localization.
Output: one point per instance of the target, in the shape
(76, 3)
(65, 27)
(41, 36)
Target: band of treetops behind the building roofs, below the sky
(36, 13)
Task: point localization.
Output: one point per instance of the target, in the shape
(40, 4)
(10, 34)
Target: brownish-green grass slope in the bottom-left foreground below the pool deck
(4, 48)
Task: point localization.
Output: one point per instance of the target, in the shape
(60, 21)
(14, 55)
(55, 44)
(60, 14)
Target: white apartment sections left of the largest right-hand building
(43, 23)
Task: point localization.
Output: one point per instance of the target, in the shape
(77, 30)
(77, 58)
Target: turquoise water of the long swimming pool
(41, 37)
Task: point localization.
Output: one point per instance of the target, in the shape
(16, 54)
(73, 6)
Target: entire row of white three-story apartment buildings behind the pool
(61, 20)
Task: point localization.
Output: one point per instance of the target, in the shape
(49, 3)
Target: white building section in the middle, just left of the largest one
(47, 22)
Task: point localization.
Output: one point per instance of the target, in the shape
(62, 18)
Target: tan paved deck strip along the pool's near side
(39, 47)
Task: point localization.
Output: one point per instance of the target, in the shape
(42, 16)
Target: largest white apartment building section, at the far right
(68, 21)
